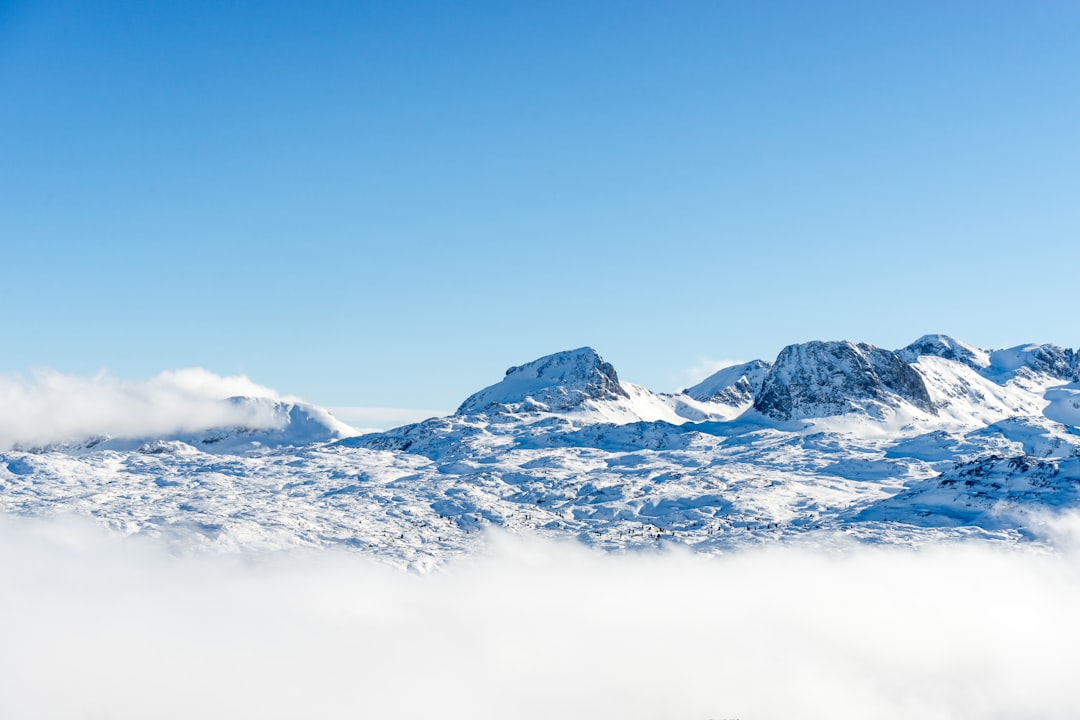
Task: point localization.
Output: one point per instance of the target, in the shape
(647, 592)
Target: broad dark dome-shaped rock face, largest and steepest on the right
(823, 379)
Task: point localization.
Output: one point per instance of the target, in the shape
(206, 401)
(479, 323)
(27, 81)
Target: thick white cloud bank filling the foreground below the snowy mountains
(102, 628)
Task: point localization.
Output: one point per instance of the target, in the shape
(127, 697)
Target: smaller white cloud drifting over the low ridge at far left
(53, 407)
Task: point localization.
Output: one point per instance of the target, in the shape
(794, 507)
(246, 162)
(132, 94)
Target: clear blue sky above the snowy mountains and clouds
(389, 203)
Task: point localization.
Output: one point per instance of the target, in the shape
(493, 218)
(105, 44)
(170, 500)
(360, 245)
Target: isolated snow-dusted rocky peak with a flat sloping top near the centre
(557, 384)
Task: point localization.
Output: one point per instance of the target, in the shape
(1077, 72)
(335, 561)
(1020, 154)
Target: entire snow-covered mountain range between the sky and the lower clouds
(939, 440)
